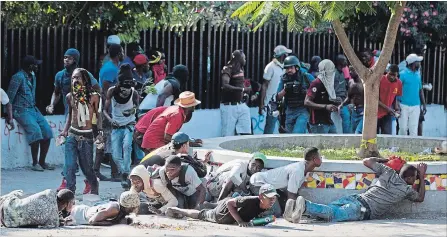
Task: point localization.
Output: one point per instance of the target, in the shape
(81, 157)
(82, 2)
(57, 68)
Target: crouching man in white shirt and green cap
(234, 176)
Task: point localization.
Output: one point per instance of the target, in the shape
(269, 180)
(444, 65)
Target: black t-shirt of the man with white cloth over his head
(320, 96)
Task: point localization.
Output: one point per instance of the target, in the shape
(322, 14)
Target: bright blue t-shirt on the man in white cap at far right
(411, 85)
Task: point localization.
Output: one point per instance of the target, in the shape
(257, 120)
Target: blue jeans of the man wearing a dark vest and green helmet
(296, 120)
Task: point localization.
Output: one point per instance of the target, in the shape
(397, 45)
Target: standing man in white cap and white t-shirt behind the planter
(272, 75)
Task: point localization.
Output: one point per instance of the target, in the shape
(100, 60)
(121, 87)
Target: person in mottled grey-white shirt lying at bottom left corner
(38, 210)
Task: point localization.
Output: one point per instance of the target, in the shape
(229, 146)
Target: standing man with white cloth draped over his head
(321, 99)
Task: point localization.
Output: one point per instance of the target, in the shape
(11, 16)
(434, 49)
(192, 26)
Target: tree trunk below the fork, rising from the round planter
(368, 147)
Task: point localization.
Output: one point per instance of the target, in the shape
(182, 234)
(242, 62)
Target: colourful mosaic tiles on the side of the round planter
(359, 181)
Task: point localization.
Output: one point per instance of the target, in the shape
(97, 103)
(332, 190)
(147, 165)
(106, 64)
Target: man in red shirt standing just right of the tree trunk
(390, 87)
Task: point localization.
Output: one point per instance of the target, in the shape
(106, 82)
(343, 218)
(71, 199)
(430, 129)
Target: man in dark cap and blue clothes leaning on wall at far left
(22, 94)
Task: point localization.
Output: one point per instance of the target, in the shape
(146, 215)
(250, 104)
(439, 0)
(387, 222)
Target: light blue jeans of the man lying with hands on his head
(344, 209)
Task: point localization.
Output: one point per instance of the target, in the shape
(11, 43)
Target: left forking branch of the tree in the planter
(348, 50)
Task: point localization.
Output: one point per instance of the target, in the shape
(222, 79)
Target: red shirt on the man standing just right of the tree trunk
(387, 93)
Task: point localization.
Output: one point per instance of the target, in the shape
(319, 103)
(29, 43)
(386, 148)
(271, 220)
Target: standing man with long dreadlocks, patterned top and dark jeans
(83, 101)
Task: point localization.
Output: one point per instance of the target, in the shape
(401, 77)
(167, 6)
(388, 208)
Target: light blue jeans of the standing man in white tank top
(122, 148)
